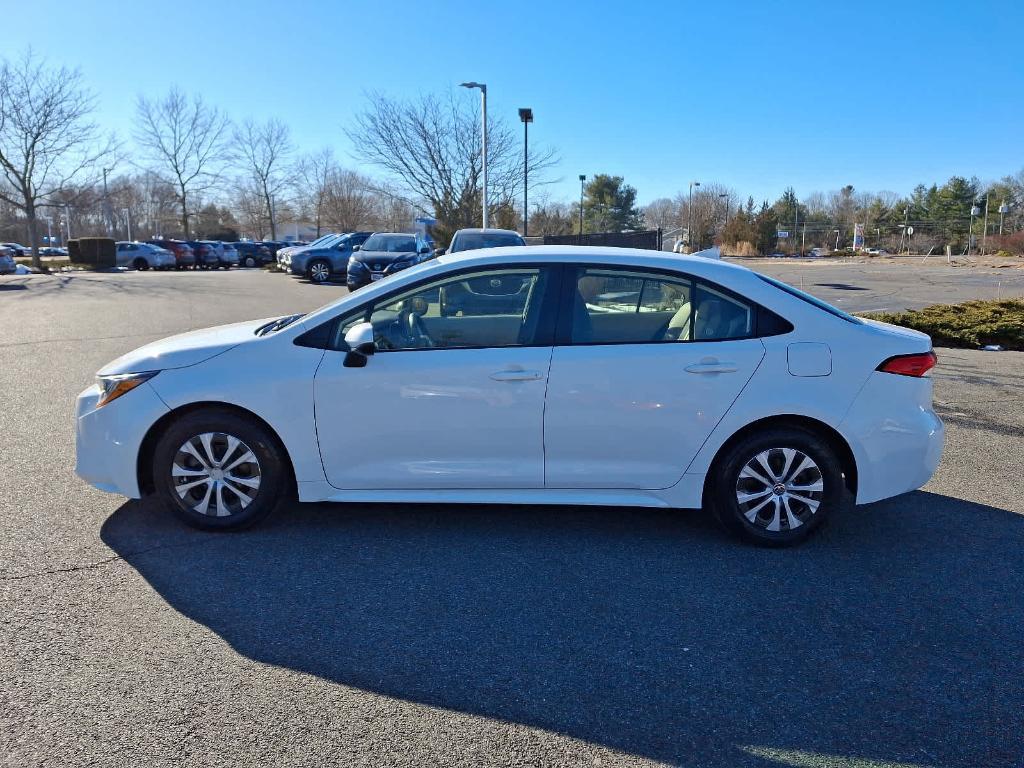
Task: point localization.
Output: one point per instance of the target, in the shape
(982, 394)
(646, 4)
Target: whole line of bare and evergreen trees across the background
(193, 172)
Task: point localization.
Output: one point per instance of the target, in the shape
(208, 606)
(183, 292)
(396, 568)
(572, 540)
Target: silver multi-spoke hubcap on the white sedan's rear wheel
(780, 489)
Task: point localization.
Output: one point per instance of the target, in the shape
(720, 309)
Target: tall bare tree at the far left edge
(48, 140)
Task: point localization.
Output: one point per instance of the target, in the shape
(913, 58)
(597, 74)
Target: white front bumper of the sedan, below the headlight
(108, 440)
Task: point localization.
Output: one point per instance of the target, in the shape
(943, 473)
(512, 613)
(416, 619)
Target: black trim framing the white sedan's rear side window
(564, 332)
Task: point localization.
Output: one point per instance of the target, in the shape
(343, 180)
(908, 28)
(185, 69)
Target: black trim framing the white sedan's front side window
(321, 336)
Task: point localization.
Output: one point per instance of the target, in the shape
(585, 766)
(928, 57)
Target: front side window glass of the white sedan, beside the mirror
(485, 309)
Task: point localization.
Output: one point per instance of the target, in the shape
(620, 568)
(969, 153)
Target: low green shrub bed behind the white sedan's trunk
(971, 325)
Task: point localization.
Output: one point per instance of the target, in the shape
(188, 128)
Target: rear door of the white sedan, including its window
(646, 366)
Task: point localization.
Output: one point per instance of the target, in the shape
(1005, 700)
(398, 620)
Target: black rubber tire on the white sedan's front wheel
(271, 472)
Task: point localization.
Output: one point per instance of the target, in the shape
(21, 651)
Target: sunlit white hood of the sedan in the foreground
(185, 350)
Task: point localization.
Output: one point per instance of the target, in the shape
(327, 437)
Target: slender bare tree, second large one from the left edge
(185, 141)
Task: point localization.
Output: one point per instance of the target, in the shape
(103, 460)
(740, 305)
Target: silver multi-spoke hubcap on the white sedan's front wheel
(216, 475)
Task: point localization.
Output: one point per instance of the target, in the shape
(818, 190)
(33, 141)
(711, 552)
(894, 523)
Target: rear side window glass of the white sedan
(616, 307)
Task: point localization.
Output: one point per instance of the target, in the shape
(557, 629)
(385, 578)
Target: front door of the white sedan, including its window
(452, 400)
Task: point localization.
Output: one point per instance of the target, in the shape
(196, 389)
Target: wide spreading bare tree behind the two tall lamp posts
(433, 149)
